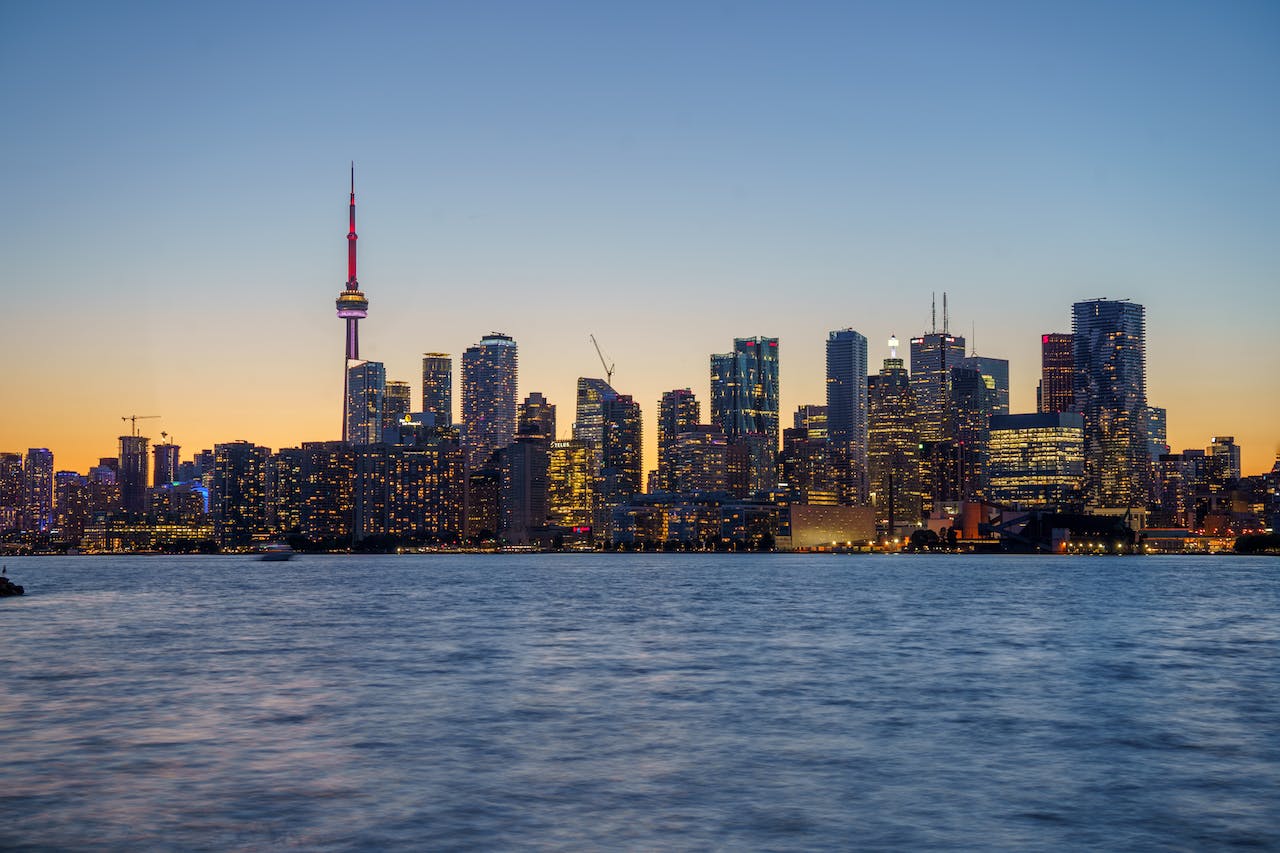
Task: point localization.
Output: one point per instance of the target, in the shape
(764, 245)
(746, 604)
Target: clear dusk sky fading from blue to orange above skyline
(664, 176)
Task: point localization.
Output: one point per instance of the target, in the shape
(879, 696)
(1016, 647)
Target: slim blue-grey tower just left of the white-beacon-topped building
(847, 413)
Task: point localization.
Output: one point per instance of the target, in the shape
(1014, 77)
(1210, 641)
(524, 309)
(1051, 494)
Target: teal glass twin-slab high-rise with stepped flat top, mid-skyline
(746, 390)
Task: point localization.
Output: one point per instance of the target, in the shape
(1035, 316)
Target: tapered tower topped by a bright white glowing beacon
(893, 448)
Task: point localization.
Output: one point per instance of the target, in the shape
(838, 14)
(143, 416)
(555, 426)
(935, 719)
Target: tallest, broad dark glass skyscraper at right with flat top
(1110, 391)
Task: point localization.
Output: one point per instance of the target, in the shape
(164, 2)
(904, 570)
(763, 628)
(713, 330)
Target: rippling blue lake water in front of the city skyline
(641, 703)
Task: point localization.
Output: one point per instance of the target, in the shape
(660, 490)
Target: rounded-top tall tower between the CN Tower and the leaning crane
(490, 377)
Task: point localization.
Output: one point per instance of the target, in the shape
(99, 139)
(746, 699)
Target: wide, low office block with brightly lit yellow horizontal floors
(1037, 462)
